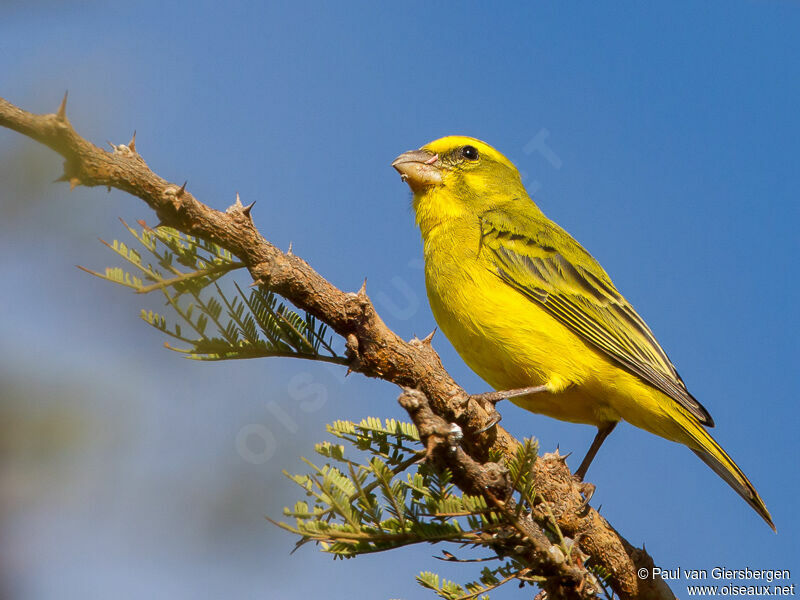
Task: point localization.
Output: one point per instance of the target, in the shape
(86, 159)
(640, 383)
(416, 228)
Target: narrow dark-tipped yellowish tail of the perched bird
(707, 448)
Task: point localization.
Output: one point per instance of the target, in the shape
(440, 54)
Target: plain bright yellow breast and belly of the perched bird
(509, 341)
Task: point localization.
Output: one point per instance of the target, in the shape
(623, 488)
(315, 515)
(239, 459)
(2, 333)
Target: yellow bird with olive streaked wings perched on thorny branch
(527, 307)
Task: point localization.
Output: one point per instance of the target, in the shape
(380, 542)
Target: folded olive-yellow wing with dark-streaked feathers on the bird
(542, 261)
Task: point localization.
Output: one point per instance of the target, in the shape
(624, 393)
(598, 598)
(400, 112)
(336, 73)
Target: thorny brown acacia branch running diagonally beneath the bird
(372, 348)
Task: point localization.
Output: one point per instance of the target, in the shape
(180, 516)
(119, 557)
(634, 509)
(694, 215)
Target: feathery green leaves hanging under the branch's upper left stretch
(211, 323)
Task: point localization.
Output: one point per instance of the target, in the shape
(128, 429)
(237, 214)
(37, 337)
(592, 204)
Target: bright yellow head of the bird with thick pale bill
(457, 176)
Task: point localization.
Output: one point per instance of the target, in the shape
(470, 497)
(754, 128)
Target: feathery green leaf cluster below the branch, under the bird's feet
(376, 493)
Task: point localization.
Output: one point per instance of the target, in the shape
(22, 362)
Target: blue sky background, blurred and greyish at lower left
(672, 140)
